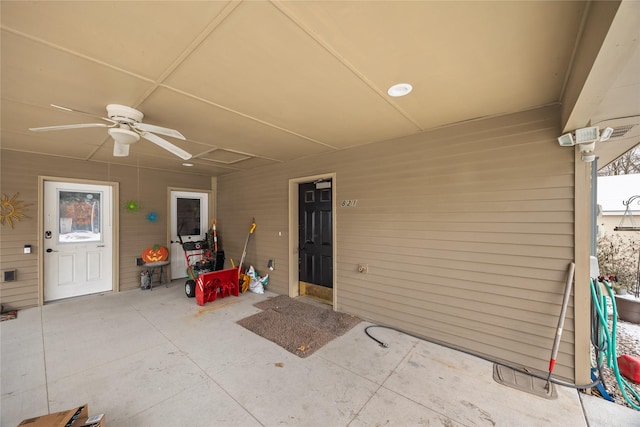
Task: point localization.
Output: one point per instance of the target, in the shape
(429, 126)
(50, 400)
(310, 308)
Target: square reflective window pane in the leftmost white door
(80, 216)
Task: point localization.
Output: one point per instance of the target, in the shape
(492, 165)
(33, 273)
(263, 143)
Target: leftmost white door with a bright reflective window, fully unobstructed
(78, 239)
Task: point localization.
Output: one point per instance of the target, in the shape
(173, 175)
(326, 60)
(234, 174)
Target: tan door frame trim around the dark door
(294, 277)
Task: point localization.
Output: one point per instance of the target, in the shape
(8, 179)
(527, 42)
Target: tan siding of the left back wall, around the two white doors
(20, 172)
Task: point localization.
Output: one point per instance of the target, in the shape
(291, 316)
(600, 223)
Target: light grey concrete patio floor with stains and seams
(156, 358)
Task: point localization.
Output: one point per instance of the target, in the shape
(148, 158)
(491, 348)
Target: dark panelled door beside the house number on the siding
(316, 233)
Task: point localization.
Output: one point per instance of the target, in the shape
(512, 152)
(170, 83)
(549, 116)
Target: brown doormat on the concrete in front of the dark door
(298, 327)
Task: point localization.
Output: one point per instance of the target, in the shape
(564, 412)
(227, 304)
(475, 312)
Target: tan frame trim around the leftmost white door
(115, 215)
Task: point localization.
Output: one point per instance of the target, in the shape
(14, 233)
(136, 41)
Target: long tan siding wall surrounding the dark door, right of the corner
(467, 230)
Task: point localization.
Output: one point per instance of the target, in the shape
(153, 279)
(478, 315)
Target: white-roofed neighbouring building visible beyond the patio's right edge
(613, 192)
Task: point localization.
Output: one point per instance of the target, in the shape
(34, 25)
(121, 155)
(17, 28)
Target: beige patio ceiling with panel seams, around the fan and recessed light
(255, 83)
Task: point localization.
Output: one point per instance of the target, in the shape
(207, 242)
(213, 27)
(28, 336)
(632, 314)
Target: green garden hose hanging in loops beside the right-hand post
(609, 341)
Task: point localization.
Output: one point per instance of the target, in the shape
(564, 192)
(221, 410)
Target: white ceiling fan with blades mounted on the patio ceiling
(125, 127)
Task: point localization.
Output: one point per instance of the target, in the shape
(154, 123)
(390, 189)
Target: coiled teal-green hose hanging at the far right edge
(604, 340)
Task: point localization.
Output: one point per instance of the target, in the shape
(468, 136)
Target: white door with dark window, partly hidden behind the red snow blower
(189, 219)
